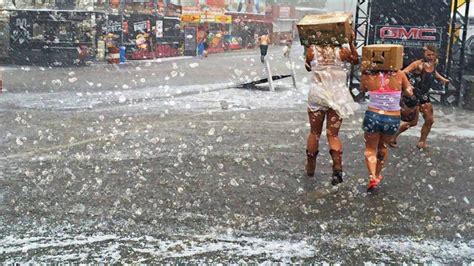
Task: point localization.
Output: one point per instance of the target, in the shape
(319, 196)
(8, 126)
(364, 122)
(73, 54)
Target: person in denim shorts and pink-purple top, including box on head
(385, 83)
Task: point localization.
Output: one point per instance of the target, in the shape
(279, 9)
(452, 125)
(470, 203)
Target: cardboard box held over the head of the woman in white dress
(330, 28)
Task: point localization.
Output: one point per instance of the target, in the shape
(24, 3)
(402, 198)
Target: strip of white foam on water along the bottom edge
(108, 248)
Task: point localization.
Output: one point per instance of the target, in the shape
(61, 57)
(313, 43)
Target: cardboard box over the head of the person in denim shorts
(382, 57)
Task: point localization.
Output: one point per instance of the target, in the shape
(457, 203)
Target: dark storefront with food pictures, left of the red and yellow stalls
(146, 29)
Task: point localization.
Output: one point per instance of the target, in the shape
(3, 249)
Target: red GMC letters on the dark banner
(413, 33)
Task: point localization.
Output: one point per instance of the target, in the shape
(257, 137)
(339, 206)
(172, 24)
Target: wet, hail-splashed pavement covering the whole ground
(208, 173)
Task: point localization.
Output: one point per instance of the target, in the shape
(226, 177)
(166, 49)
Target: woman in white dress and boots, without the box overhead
(329, 99)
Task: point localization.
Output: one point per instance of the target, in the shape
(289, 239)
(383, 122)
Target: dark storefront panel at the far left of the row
(50, 37)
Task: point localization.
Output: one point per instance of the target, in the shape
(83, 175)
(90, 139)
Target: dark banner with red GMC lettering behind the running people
(412, 24)
